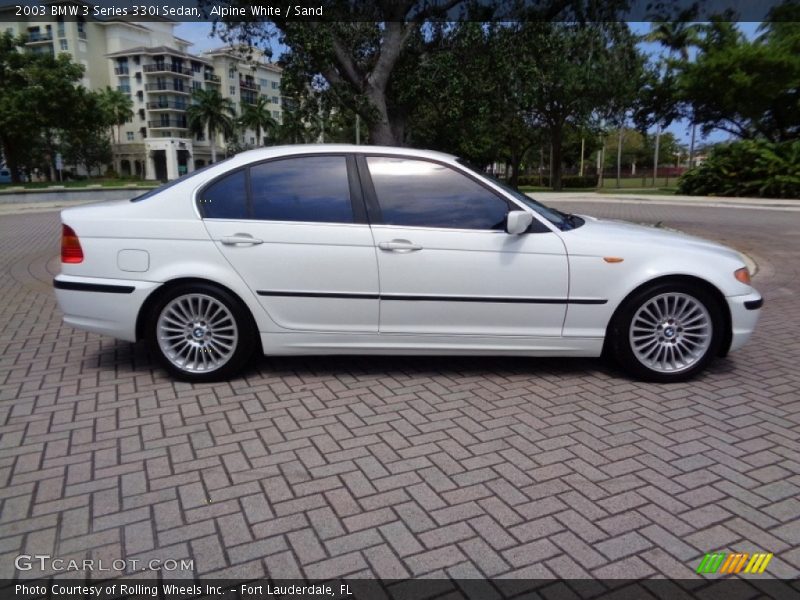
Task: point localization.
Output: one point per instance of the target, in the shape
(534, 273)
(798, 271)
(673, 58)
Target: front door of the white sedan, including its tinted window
(446, 264)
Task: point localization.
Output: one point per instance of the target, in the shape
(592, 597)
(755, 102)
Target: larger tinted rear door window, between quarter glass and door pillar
(311, 188)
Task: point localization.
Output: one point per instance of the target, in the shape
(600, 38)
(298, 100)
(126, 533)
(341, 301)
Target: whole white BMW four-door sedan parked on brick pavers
(337, 249)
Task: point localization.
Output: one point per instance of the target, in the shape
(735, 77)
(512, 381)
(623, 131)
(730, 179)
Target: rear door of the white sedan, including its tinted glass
(295, 229)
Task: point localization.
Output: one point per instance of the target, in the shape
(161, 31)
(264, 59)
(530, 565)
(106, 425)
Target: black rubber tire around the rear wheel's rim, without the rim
(244, 324)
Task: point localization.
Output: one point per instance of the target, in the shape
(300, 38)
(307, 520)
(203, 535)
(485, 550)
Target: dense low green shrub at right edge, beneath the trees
(753, 168)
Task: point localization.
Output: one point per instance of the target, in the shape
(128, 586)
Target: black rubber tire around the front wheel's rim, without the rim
(619, 329)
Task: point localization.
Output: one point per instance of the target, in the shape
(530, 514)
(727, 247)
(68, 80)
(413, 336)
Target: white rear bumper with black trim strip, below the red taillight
(104, 306)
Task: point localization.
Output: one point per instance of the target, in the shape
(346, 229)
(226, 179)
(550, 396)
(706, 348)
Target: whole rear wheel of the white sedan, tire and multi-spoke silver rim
(200, 332)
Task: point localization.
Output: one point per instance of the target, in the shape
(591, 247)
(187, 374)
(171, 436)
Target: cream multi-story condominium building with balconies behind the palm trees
(149, 63)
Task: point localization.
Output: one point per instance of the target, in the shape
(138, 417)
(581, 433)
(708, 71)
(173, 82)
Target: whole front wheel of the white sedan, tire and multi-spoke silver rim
(668, 332)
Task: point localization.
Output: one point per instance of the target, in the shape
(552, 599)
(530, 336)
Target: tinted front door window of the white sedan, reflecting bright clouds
(427, 194)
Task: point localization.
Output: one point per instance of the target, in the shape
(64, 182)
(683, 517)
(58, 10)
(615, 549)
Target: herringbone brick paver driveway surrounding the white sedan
(398, 467)
